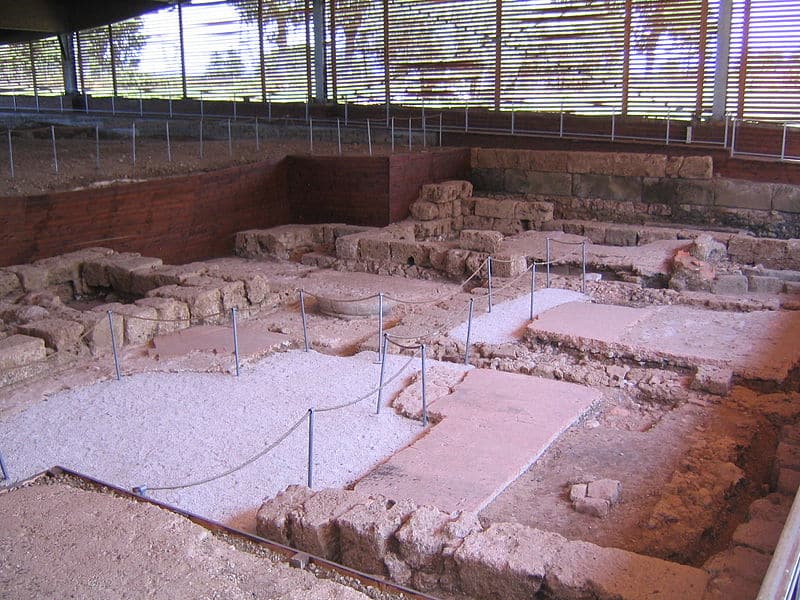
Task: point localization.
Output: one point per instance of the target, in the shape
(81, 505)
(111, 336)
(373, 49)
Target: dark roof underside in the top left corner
(23, 20)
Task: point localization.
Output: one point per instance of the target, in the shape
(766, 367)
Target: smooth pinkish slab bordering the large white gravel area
(494, 426)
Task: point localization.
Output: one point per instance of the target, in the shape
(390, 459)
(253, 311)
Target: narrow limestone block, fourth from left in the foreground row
(422, 538)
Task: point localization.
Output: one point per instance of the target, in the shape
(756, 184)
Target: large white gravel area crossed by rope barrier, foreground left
(162, 429)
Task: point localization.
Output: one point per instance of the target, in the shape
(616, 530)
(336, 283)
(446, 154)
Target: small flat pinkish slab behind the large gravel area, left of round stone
(253, 339)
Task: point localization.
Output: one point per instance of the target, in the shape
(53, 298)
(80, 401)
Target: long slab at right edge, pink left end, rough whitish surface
(755, 345)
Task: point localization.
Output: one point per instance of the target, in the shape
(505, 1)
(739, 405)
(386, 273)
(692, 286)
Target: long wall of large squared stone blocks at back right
(639, 188)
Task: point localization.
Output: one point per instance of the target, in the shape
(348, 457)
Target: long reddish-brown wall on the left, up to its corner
(178, 219)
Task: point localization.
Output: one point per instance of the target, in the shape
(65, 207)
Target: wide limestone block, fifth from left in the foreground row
(507, 561)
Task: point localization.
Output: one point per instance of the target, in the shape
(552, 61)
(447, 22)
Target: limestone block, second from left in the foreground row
(313, 526)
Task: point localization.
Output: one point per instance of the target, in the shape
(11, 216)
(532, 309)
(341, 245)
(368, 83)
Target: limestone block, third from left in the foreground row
(366, 530)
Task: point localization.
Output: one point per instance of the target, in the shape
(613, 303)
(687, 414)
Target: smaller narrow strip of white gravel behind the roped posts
(508, 319)
